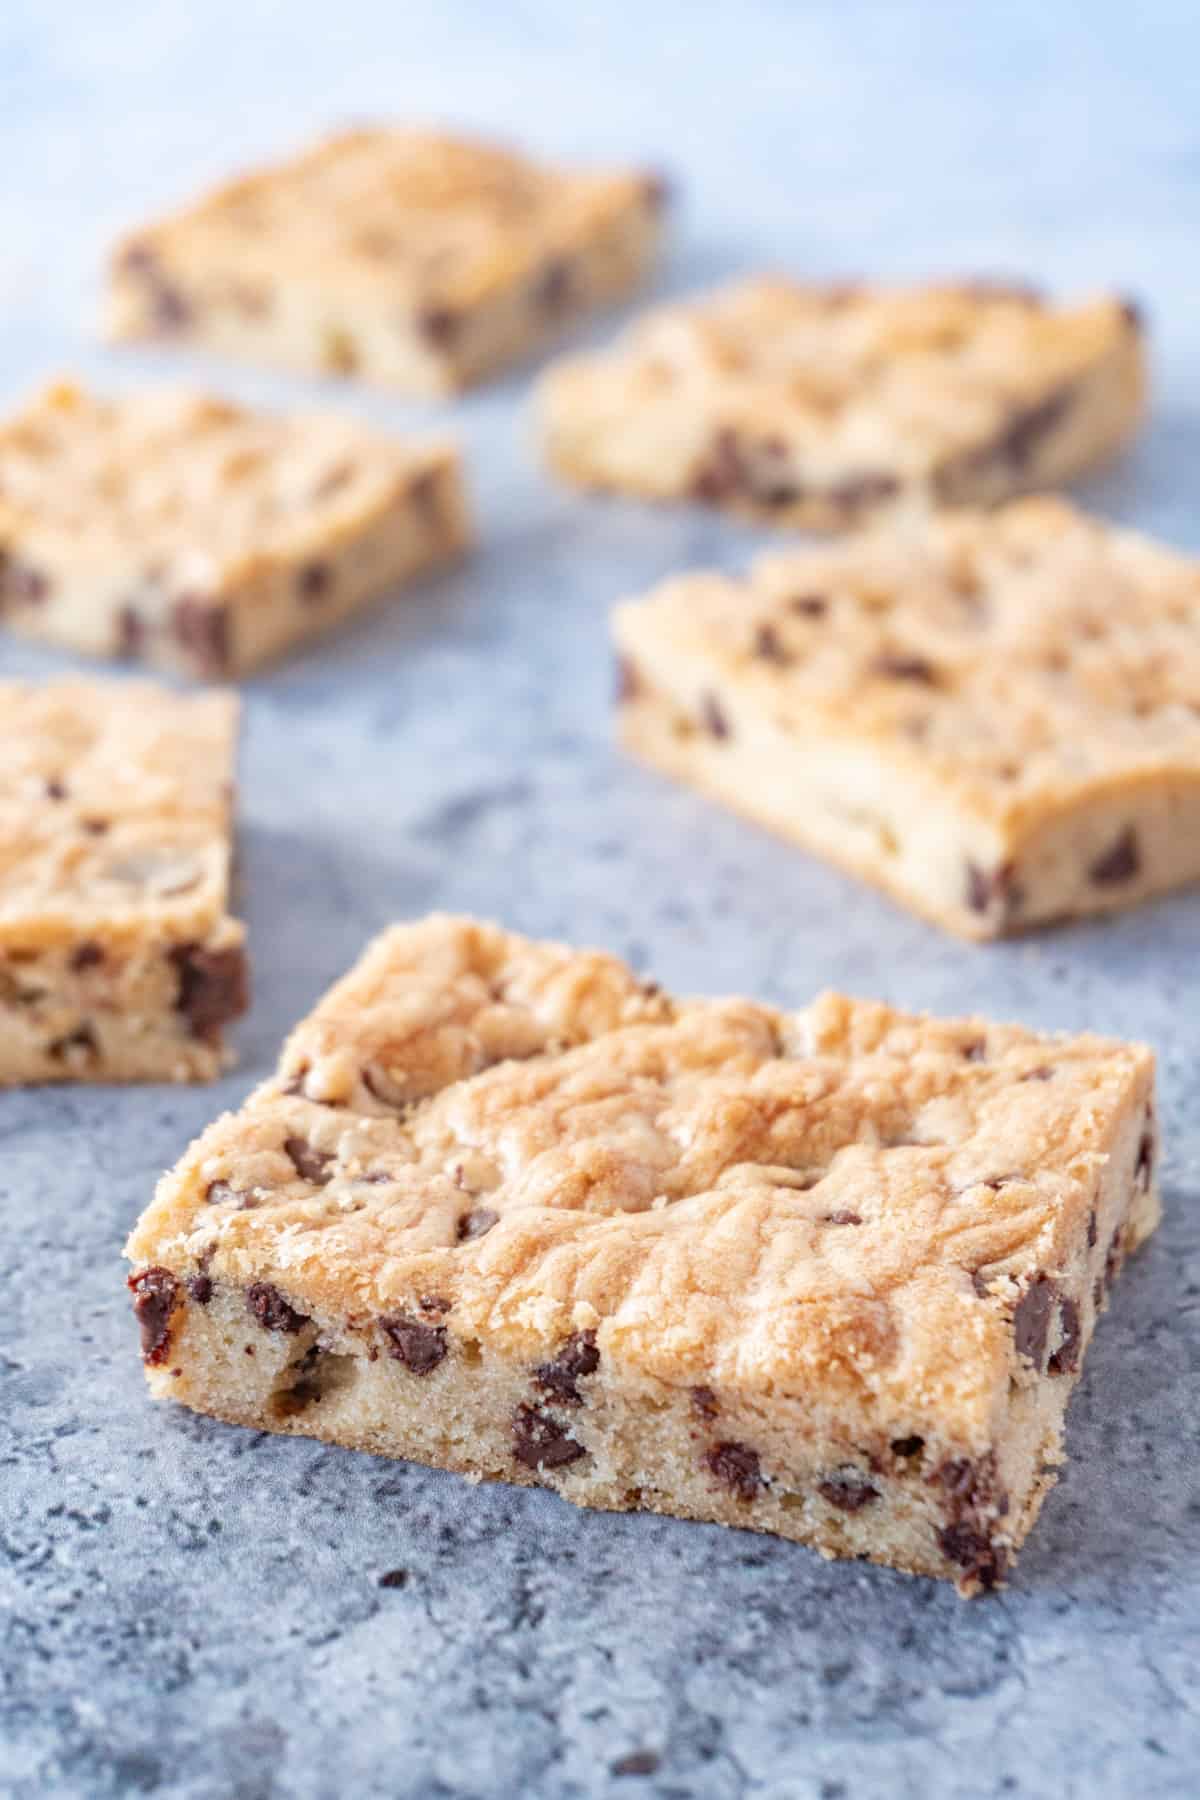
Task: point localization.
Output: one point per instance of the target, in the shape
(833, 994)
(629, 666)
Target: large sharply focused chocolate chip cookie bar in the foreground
(508, 1209)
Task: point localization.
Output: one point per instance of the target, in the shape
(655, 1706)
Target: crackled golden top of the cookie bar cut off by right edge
(1021, 658)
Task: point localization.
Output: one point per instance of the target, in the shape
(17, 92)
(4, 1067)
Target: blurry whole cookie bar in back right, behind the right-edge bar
(830, 408)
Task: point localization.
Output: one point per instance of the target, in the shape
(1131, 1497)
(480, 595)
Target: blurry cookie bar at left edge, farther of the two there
(193, 535)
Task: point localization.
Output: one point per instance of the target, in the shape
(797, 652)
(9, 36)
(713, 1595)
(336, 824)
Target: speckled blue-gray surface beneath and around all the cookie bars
(201, 1612)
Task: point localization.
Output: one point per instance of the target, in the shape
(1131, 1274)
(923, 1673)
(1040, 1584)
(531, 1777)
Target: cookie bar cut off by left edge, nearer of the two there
(118, 957)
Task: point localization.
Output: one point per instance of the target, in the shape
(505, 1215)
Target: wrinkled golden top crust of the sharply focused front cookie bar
(728, 1194)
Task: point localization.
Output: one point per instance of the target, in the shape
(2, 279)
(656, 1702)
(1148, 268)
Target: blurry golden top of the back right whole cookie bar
(855, 372)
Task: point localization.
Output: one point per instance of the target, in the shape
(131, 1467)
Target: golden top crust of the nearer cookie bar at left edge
(114, 811)
